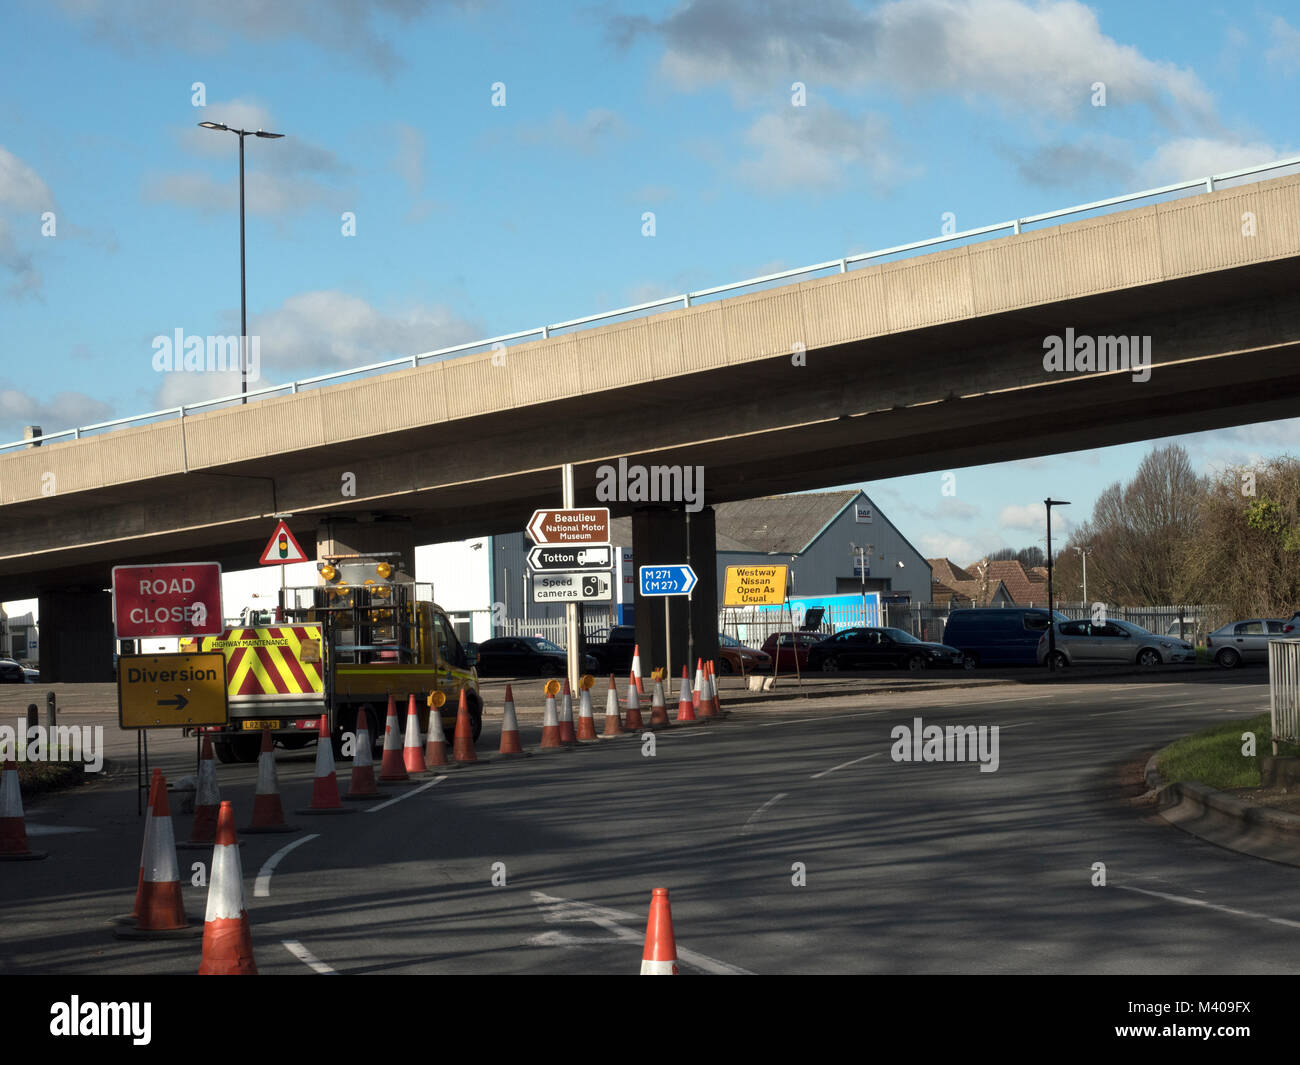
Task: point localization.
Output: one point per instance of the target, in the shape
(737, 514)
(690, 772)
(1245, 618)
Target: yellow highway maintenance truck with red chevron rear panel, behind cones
(341, 648)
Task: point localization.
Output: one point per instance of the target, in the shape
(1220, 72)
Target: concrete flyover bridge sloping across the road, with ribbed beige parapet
(921, 365)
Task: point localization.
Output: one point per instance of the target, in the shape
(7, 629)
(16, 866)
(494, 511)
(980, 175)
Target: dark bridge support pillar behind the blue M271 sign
(664, 536)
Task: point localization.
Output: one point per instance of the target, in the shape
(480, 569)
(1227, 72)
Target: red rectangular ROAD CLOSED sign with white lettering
(183, 600)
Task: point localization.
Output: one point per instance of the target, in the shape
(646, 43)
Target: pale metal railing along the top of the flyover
(686, 300)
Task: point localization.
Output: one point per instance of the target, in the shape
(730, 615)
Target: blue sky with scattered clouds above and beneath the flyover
(475, 220)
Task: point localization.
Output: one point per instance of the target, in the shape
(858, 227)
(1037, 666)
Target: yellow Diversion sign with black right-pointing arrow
(172, 691)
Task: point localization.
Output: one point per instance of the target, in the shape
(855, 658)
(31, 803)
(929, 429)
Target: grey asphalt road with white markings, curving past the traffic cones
(791, 839)
